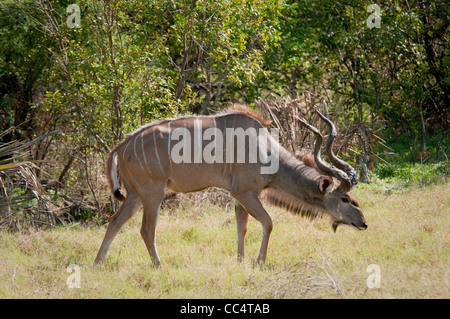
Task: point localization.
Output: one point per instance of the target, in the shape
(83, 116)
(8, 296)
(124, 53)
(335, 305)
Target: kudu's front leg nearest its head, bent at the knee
(252, 204)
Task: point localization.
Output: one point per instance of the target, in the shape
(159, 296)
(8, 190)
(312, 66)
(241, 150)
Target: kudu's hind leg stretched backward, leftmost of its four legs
(128, 208)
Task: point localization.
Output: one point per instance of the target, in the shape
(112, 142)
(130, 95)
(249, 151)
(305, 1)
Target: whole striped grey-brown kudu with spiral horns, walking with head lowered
(149, 160)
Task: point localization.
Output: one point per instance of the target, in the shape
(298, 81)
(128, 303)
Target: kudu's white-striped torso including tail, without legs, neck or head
(227, 150)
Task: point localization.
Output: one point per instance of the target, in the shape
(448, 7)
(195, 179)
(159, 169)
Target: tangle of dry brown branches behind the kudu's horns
(355, 142)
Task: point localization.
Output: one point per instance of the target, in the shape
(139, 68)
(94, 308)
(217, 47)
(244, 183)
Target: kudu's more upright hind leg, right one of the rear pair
(152, 203)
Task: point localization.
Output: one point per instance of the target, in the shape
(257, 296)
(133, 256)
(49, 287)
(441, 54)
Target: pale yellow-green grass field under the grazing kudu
(407, 238)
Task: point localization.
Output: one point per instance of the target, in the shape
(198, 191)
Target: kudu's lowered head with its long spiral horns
(336, 183)
